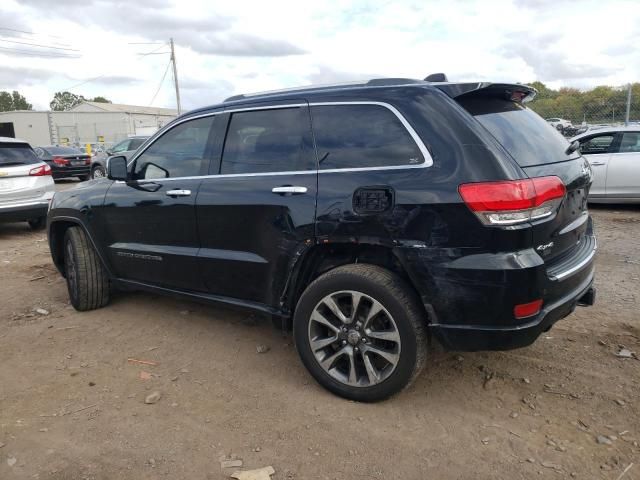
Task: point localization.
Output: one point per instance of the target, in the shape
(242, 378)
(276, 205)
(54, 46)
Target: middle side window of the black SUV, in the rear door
(266, 141)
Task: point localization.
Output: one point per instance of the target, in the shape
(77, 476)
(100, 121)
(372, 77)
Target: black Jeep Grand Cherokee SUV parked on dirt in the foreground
(367, 218)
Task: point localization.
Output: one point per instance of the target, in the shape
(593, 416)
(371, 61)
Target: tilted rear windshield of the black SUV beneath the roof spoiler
(523, 133)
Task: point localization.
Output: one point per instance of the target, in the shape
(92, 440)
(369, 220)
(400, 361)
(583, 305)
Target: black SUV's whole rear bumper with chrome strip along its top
(470, 299)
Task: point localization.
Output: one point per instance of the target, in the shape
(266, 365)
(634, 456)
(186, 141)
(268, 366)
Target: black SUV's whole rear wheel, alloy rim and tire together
(361, 333)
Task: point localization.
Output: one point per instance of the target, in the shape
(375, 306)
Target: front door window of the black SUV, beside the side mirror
(181, 152)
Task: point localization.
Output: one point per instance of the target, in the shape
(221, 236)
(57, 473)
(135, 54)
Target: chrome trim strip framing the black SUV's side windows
(427, 159)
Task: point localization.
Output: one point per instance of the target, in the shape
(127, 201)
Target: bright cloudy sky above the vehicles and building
(118, 48)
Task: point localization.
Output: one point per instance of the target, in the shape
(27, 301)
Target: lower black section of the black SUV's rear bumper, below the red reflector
(476, 337)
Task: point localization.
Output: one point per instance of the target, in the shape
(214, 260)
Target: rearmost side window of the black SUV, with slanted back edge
(362, 136)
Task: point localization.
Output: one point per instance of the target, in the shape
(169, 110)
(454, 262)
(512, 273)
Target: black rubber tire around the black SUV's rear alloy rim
(399, 301)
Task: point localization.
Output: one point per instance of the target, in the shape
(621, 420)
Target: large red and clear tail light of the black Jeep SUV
(513, 201)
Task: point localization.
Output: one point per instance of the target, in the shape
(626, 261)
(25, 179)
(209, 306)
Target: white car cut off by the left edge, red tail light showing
(26, 184)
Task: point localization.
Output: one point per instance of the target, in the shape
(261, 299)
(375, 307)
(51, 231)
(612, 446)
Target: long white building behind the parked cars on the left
(88, 122)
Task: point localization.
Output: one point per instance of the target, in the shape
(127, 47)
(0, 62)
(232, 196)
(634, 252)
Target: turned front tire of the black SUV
(87, 280)
